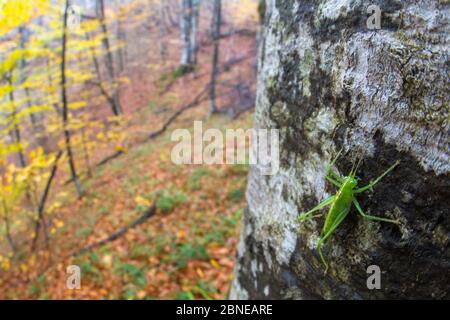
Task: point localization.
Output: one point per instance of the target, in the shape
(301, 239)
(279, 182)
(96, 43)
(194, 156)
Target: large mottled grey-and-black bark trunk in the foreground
(327, 82)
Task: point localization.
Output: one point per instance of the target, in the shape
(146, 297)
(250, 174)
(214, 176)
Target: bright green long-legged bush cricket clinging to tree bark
(340, 203)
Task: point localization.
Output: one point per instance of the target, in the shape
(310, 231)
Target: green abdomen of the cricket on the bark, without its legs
(341, 206)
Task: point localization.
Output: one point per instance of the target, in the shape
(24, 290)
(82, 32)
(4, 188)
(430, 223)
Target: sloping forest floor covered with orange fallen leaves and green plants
(187, 249)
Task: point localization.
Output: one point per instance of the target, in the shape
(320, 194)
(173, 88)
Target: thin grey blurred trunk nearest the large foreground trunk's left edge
(217, 21)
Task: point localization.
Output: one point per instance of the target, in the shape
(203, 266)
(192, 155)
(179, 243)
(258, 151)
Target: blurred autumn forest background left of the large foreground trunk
(90, 92)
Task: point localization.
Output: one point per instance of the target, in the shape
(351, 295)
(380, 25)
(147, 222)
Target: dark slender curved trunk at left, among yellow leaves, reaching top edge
(65, 111)
